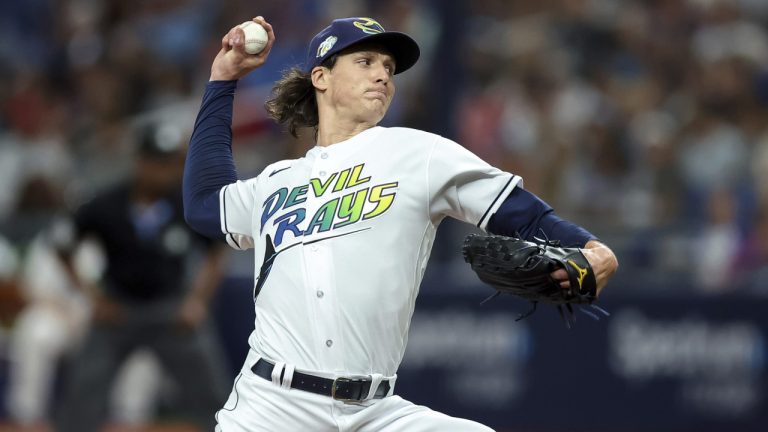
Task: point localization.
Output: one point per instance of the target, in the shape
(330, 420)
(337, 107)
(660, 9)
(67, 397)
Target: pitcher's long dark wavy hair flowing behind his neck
(293, 101)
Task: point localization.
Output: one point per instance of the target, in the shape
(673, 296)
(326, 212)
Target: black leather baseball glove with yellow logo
(523, 268)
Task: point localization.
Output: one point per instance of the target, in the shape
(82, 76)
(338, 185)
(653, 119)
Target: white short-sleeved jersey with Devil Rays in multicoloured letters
(342, 237)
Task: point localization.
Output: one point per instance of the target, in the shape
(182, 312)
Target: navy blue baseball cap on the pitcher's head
(345, 32)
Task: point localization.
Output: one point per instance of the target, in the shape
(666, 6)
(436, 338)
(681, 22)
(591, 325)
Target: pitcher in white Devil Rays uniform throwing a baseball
(342, 235)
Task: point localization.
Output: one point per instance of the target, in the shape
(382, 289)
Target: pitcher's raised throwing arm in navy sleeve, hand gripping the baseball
(210, 165)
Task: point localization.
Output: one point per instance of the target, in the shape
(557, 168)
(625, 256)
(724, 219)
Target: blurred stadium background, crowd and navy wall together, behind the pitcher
(642, 120)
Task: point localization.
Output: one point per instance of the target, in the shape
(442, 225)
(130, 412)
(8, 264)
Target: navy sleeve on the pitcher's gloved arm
(526, 214)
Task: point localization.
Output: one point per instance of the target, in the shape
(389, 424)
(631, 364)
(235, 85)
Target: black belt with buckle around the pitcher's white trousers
(342, 388)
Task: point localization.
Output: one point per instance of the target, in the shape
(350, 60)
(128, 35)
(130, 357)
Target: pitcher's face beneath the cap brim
(360, 84)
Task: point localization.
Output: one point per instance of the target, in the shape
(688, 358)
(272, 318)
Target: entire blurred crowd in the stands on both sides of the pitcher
(642, 120)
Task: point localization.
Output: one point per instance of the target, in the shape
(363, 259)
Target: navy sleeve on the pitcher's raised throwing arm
(209, 165)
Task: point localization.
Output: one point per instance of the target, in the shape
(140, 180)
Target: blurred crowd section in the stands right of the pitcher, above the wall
(643, 120)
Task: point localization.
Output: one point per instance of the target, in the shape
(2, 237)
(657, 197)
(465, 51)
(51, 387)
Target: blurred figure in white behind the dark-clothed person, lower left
(51, 326)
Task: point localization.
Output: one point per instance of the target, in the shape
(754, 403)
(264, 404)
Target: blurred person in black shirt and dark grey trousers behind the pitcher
(149, 296)
